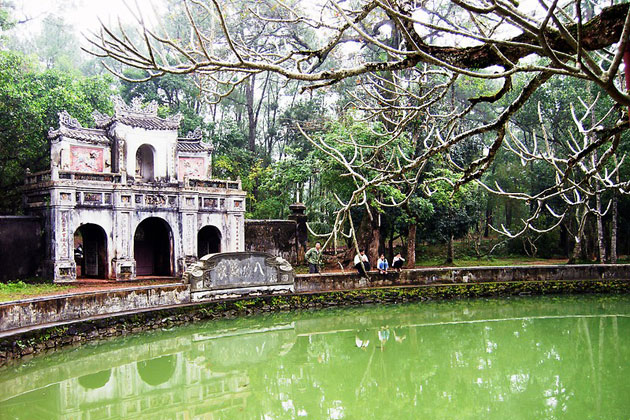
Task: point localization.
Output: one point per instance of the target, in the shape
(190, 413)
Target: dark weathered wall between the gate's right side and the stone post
(276, 237)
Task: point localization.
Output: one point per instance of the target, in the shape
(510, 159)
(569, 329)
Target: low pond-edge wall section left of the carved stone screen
(71, 307)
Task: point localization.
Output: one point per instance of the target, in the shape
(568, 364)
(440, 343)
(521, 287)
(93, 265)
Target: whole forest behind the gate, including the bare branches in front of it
(524, 160)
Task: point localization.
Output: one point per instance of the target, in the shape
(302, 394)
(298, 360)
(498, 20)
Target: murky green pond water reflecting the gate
(522, 358)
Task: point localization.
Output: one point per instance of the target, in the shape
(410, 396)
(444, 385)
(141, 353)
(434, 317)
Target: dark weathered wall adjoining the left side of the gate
(21, 247)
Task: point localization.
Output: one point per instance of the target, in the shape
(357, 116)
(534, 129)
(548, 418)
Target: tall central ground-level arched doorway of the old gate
(153, 248)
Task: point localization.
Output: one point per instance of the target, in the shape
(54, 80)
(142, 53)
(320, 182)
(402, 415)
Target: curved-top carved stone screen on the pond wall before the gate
(237, 274)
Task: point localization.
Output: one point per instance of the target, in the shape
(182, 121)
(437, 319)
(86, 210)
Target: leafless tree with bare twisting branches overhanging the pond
(412, 54)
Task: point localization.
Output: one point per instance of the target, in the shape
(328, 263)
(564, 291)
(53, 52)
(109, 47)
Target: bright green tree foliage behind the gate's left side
(30, 100)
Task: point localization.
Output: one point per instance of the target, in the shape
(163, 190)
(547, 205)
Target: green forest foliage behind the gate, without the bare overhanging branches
(258, 134)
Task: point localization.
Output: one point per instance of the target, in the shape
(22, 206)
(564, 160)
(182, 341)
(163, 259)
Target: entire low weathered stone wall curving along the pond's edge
(68, 308)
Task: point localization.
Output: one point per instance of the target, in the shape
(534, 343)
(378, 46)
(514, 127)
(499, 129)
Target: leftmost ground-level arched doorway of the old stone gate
(90, 251)
